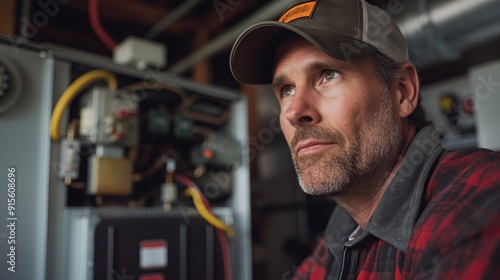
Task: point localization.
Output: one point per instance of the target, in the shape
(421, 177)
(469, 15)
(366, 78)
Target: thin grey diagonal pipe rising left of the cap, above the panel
(267, 12)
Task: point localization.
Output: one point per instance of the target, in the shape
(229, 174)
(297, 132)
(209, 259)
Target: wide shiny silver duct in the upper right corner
(440, 30)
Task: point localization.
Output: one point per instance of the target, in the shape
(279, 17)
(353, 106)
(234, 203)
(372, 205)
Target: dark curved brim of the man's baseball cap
(252, 55)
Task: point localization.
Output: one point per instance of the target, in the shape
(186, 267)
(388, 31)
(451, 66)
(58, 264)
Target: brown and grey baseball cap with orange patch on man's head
(343, 29)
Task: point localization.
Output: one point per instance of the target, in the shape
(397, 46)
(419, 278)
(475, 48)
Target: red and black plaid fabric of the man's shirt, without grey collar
(456, 236)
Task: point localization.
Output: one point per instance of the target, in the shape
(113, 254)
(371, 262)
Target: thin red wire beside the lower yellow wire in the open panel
(224, 244)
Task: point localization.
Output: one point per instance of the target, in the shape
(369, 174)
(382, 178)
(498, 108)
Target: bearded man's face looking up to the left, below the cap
(340, 124)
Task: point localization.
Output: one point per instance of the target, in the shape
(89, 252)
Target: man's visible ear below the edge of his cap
(408, 90)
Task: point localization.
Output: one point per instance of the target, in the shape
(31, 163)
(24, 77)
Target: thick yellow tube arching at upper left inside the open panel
(72, 91)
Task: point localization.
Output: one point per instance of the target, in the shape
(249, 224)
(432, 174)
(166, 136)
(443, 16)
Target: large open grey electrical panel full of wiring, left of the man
(121, 170)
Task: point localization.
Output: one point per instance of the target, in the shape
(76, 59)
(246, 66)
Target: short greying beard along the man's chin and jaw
(319, 175)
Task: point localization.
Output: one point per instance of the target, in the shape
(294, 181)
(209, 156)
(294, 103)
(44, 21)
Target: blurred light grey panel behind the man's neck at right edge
(464, 109)
